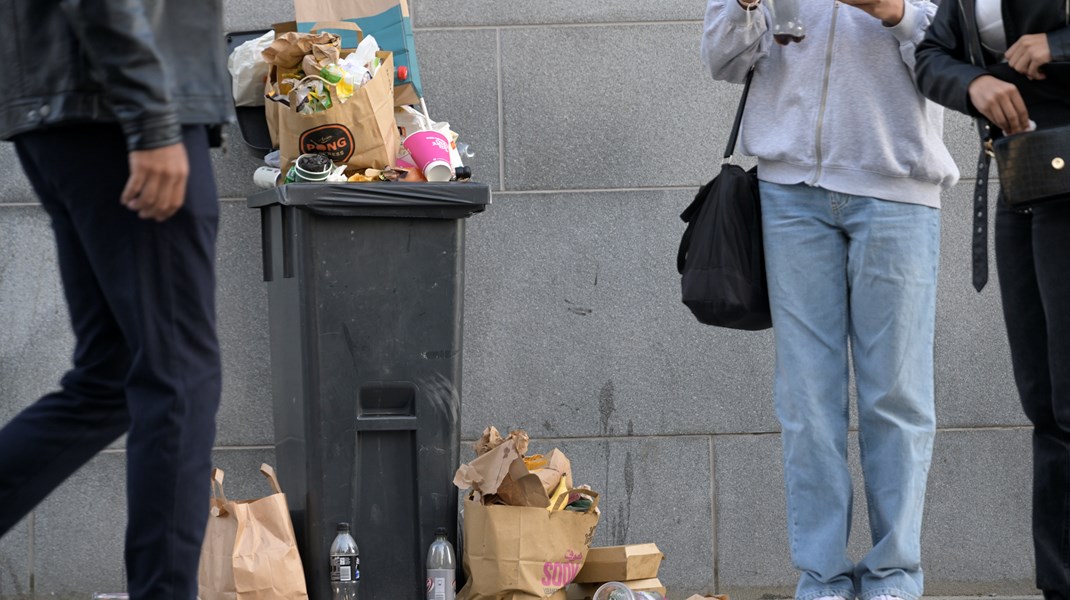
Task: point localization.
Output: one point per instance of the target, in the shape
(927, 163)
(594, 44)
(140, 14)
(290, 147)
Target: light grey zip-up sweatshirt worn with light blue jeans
(838, 111)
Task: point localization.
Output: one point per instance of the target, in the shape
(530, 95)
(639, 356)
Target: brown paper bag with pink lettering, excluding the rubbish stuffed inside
(524, 553)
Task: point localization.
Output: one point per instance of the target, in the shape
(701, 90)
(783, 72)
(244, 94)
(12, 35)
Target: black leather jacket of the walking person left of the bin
(152, 67)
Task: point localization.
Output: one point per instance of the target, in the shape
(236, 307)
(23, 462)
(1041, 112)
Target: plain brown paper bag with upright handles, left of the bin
(250, 551)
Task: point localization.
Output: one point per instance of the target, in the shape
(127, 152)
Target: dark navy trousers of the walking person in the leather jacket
(142, 298)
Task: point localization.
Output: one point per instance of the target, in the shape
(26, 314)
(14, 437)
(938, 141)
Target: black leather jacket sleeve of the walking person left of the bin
(121, 47)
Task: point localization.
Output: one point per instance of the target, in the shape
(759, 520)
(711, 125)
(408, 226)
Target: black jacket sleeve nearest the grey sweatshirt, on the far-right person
(943, 69)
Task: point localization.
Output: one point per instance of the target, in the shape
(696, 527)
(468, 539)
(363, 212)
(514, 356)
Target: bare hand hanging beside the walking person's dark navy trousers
(158, 184)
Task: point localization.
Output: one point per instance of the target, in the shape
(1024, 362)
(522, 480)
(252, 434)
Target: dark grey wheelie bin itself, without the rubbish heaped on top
(365, 287)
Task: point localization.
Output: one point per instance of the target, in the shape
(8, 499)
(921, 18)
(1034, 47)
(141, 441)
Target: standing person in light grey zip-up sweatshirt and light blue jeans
(851, 166)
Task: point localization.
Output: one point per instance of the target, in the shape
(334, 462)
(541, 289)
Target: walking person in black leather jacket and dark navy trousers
(113, 106)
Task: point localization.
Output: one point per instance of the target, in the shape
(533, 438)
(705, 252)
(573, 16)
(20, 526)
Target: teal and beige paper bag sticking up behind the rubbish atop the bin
(388, 21)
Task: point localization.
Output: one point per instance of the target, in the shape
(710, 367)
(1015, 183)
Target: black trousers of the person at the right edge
(1033, 257)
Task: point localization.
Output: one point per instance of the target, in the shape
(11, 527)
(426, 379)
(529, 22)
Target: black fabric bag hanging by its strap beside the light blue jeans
(721, 259)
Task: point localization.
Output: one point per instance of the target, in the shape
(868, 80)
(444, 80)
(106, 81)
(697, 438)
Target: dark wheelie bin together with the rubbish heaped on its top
(363, 211)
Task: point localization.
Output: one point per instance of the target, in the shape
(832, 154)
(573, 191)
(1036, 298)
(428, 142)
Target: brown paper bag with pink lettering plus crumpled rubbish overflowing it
(527, 528)
